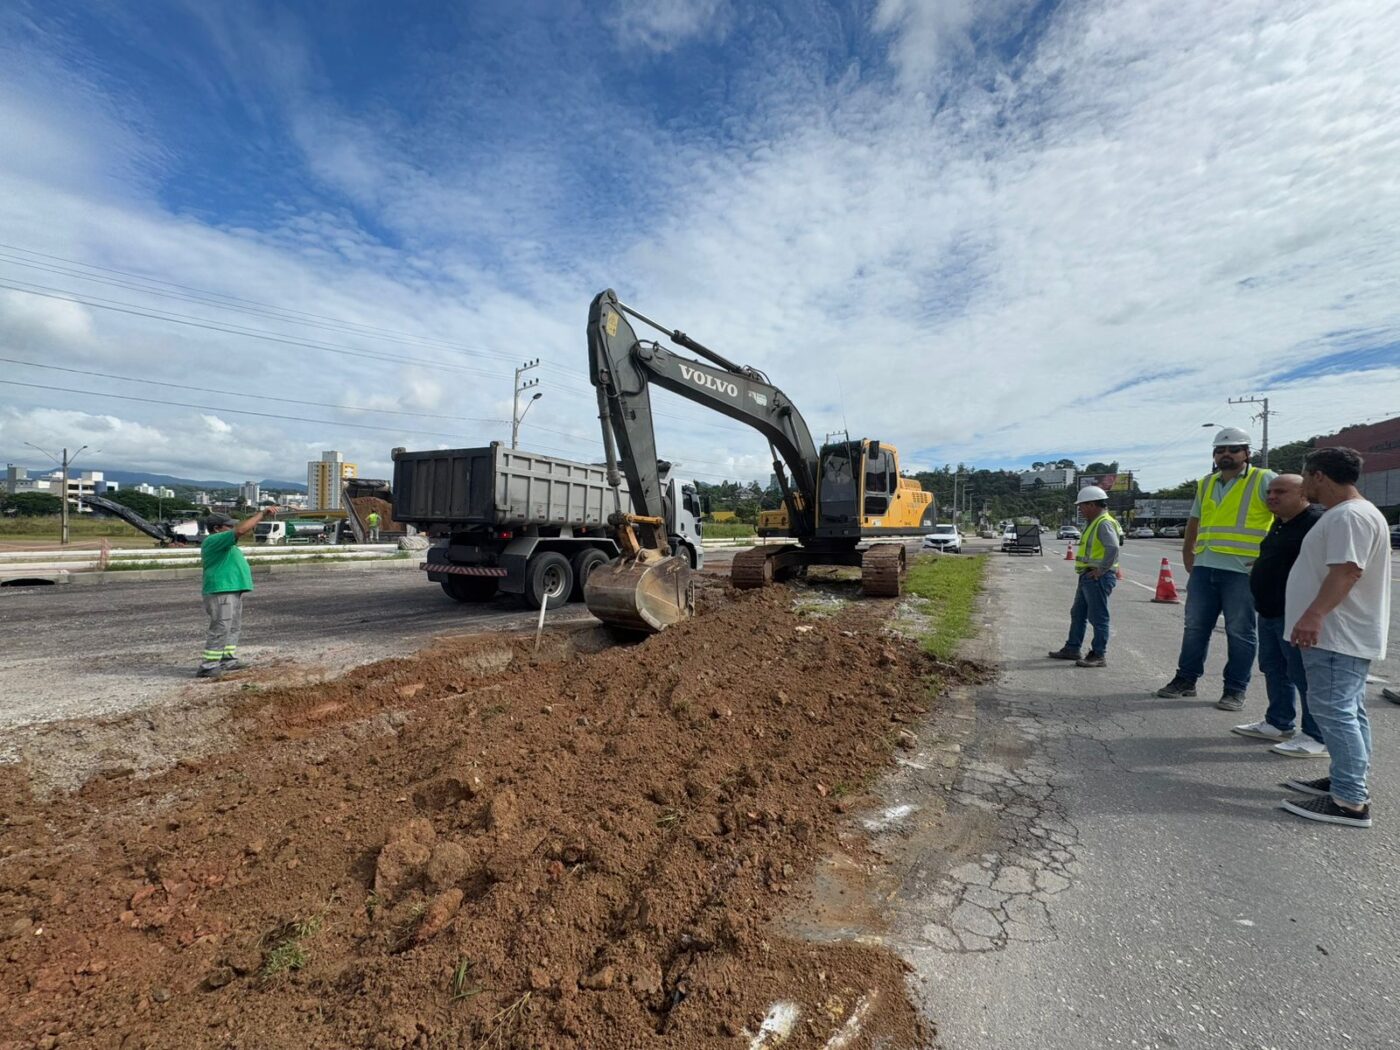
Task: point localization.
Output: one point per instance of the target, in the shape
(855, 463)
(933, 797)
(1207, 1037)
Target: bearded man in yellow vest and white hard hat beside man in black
(1230, 520)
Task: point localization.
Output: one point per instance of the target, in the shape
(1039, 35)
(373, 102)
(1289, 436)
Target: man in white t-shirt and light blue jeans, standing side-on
(1338, 611)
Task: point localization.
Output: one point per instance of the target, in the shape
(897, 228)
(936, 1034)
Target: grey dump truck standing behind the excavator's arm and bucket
(520, 523)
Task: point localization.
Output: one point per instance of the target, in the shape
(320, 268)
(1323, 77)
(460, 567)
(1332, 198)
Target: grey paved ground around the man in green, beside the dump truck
(78, 652)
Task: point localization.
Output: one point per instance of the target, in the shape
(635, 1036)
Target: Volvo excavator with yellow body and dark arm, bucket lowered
(835, 498)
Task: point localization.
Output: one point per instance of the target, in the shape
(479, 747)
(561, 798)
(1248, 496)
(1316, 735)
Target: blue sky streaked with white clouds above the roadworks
(981, 232)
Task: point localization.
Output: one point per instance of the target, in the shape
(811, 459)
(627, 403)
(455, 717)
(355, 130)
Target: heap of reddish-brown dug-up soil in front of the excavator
(478, 849)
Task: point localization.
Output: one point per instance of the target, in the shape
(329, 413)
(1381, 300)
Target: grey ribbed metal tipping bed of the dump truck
(499, 488)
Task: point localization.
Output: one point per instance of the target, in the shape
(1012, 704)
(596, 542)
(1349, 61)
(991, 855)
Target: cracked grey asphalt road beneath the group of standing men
(1177, 906)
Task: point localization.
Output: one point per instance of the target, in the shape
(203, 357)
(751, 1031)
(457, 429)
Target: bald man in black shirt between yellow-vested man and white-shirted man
(1279, 661)
